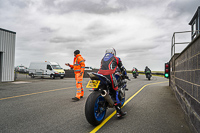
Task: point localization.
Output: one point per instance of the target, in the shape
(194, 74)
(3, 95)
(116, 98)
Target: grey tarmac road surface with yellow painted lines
(45, 105)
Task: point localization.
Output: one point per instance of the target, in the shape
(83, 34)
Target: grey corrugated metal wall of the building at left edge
(7, 50)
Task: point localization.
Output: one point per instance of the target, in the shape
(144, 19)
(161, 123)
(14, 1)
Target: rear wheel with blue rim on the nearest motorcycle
(95, 109)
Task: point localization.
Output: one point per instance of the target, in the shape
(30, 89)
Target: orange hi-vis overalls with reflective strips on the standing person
(79, 67)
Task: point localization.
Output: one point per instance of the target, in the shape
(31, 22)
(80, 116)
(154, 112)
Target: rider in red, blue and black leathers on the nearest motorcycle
(109, 65)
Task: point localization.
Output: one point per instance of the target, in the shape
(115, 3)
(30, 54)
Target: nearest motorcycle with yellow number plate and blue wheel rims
(102, 96)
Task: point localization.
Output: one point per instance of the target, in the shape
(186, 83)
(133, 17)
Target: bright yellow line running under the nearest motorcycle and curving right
(110, 116)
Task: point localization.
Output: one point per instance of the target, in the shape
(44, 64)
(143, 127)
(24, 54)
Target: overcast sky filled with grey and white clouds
(139, 30)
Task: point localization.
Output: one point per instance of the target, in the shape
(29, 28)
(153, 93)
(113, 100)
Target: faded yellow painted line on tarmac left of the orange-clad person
(34, 93)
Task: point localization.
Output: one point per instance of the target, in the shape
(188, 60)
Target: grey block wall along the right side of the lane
(185, 81)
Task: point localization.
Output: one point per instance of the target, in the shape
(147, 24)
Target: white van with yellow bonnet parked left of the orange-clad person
(46, 69)
